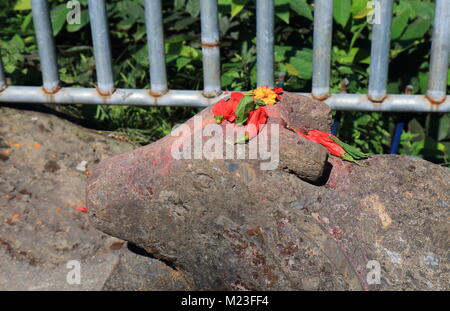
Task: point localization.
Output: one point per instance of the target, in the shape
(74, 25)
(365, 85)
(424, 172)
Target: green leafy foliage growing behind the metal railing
(425, 135)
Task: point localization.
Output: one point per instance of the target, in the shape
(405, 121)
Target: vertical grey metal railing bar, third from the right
(323, 27)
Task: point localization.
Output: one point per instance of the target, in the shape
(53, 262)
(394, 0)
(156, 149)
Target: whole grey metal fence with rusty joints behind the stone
(435, 100)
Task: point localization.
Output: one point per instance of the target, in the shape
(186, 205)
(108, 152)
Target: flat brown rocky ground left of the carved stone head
(40, 231)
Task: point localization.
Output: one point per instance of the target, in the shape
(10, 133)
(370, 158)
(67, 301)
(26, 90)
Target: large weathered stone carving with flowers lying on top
(227, 224)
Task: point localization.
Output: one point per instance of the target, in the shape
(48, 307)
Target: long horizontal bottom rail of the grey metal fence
(141, 97)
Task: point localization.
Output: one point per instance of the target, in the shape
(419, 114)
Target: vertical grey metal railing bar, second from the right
(379, 53)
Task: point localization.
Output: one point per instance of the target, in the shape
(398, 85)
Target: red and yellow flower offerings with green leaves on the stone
(248, 110)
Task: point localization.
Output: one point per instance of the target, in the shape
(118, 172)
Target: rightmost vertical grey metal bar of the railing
(440, 51)
